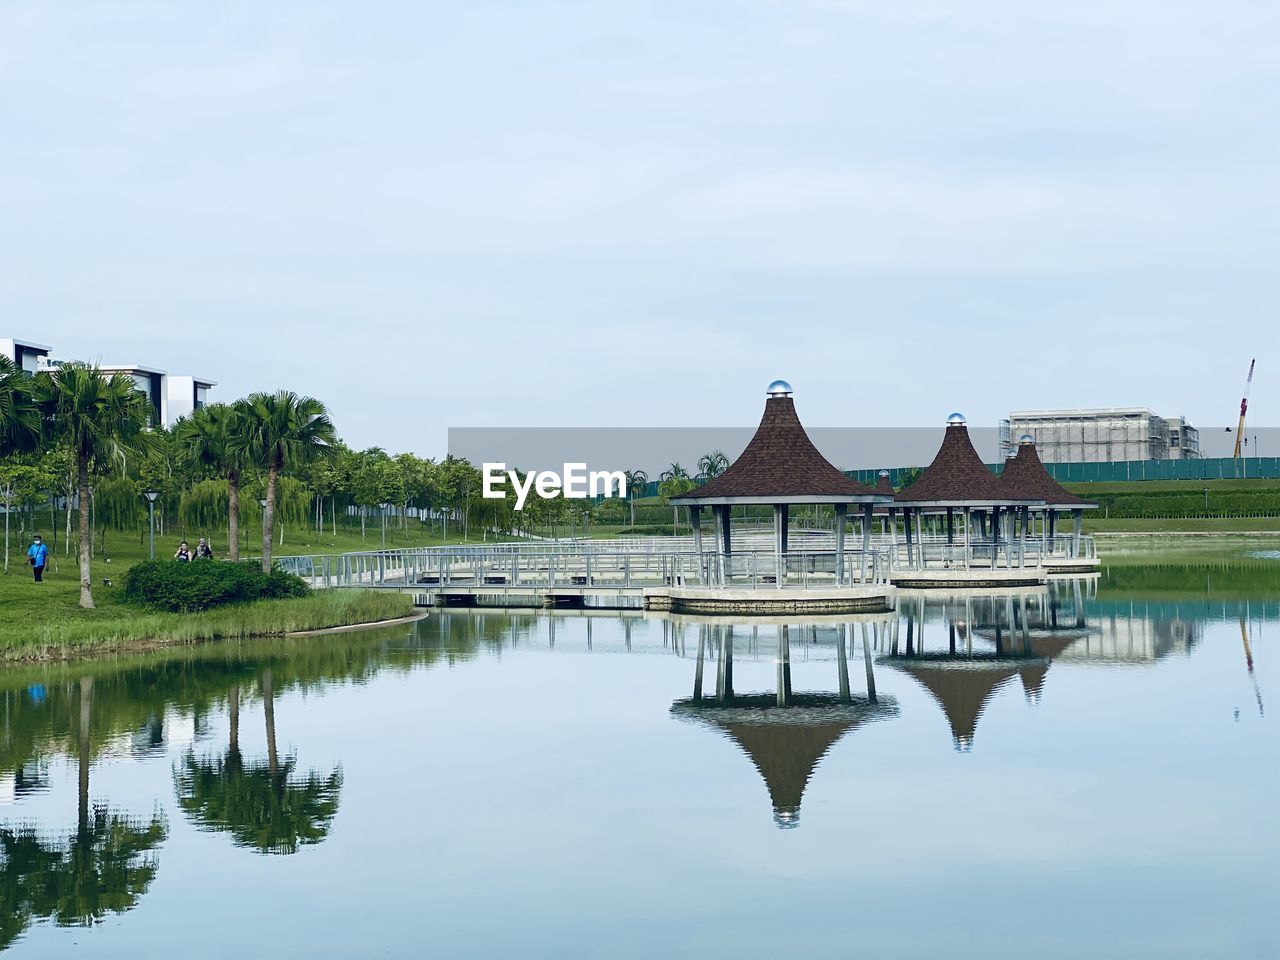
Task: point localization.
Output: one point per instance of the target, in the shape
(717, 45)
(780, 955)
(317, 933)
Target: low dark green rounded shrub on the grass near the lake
(202, 586)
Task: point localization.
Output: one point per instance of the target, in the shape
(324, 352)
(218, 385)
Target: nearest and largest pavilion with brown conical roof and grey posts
(781, 469)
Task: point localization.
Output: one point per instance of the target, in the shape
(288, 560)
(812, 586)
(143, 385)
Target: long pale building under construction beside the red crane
(1100, 436)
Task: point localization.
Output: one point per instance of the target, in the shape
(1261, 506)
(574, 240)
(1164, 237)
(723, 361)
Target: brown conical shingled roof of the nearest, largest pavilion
(780, 461)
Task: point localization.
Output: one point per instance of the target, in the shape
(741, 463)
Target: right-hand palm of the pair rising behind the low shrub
(281, 432)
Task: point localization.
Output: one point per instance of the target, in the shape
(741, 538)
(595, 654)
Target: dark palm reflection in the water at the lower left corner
(102, 868)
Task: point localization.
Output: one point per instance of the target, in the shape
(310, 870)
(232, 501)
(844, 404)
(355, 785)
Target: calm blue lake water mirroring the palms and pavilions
(1086, 771)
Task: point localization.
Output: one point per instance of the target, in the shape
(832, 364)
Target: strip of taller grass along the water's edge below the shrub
(38, 629)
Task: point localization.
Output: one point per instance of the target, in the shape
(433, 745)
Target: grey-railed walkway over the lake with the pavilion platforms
(671, 574)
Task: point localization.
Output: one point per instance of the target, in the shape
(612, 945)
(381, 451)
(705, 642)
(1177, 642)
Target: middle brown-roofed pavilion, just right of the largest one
(958, 482)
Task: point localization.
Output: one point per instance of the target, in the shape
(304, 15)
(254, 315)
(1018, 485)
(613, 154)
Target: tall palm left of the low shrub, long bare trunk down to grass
(99, 419)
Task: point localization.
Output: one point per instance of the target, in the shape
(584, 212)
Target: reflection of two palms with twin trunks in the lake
(263, 807)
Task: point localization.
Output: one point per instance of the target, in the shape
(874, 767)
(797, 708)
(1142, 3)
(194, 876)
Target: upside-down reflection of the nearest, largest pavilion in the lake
(784, 733)
